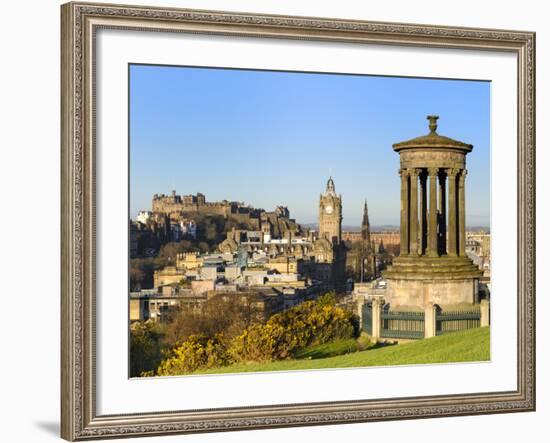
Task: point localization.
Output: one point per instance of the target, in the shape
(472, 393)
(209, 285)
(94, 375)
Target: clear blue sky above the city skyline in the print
(273, 138)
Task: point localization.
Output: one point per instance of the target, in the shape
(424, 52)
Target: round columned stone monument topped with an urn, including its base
(432, 267)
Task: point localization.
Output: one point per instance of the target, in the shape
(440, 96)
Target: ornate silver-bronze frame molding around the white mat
(79, 22)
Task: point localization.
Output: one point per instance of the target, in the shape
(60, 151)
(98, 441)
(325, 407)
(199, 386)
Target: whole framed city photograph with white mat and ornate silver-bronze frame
(263, 215)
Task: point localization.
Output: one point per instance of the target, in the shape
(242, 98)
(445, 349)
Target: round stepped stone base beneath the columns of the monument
(421, 281)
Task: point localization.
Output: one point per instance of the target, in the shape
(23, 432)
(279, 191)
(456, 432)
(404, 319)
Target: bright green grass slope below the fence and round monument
(470, 345)
